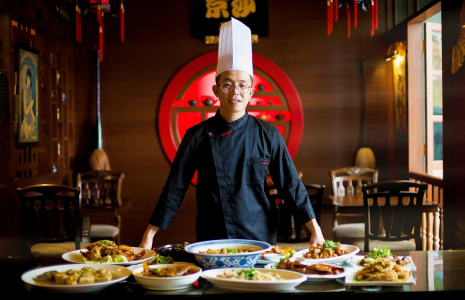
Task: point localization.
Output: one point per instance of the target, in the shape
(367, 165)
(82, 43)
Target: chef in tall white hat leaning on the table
(232, 153)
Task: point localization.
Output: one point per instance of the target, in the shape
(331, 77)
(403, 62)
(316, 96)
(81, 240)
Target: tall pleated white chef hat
(235, 48)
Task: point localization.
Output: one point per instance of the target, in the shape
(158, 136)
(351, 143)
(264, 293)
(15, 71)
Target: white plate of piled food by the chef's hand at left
(107, 252)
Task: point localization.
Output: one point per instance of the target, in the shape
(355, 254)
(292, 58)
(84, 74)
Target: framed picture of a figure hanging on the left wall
(28, 92)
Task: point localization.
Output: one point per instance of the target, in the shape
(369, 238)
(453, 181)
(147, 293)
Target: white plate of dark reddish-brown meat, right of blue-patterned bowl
(314, 272)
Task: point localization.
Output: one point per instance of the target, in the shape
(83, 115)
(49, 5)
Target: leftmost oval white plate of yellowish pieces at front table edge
(76, 277)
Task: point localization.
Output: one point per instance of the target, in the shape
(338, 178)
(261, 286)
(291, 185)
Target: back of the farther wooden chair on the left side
(100, 187)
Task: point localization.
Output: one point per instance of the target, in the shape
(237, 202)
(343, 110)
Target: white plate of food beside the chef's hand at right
(329, 252)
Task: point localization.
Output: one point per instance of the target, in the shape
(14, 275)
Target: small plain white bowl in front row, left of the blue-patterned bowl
(166, 283)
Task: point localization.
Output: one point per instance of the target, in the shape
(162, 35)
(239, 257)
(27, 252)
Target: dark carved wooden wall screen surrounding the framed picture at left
(55, 152)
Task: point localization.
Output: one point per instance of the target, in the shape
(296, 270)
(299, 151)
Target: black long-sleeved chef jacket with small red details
(232, 160)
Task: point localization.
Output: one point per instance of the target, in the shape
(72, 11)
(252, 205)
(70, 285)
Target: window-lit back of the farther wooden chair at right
(349, 180)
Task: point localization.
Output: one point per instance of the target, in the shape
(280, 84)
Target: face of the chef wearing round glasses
(233, 104)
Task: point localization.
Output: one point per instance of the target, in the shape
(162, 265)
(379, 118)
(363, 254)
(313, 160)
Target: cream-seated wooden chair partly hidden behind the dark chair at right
(348, 181)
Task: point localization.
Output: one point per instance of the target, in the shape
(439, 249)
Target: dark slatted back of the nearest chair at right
(393, 211)
